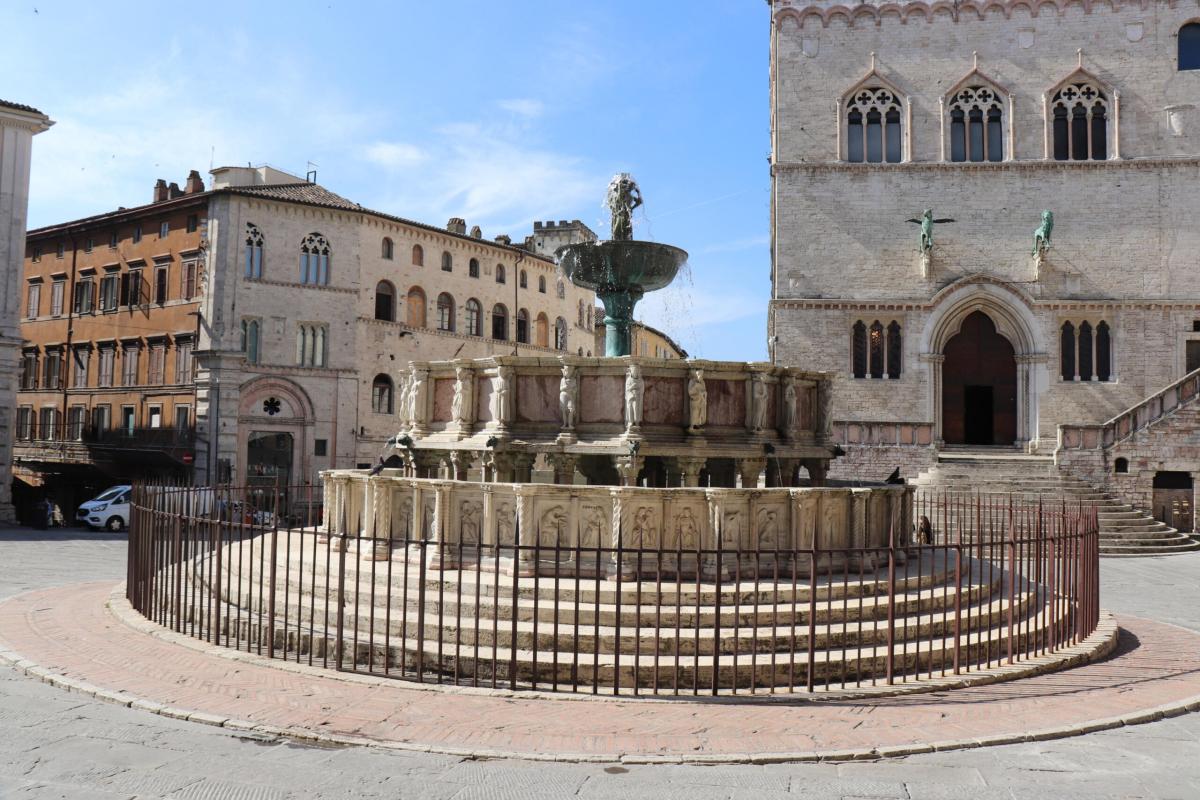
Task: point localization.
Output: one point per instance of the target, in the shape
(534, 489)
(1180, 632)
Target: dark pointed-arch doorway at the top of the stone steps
(980, 386)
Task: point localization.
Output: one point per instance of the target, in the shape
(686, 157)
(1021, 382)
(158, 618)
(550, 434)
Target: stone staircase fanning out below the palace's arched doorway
(1125, 531)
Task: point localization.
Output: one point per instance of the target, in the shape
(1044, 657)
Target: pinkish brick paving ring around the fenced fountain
(68, 636)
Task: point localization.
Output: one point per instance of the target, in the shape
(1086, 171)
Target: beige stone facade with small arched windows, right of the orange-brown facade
(314, 308)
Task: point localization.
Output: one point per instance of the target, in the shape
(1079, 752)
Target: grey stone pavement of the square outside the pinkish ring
(56, 744)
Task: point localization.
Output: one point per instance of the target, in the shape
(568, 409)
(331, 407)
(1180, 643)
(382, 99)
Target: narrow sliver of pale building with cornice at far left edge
(19, 125)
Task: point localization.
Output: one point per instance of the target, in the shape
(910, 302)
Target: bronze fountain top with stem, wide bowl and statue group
(622, 269)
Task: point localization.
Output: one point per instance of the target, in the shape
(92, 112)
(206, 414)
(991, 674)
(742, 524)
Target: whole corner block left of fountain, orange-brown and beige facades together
(259, 330)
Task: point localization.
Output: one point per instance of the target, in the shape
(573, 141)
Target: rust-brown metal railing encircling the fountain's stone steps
(992, 581)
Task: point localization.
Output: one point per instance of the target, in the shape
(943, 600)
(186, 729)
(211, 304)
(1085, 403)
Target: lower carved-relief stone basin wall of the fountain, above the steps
(467, 518)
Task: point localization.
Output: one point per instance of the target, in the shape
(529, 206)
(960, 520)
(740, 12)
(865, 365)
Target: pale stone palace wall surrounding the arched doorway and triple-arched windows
(1125, 249)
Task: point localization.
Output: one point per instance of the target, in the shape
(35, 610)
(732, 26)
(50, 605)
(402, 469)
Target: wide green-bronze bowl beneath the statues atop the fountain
(638, 266)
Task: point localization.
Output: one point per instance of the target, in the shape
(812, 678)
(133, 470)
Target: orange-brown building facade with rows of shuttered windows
(109, 324)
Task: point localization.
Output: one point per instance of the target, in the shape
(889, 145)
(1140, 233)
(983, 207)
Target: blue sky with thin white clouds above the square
(501, 113)
